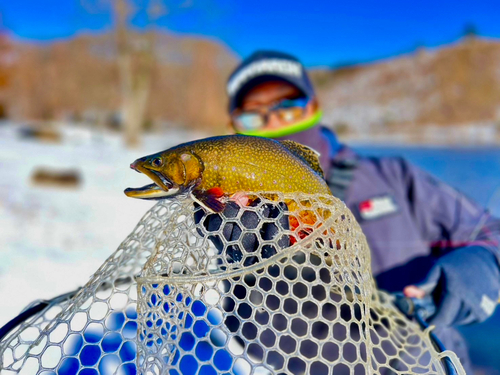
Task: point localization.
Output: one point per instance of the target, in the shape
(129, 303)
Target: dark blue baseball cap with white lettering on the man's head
(264, 66)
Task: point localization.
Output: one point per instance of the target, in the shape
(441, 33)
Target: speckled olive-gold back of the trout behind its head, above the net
(244, 163)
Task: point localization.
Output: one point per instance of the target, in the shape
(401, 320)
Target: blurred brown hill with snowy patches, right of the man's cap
(455, 84)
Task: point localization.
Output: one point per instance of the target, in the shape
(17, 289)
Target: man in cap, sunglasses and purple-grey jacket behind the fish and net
(425, 237)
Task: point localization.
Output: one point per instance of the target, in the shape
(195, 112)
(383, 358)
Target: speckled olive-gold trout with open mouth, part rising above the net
(212, 170)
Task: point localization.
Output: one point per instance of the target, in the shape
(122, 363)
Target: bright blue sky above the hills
(318, 32)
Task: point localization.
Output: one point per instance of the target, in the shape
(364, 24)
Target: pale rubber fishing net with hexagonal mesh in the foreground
(280, 286)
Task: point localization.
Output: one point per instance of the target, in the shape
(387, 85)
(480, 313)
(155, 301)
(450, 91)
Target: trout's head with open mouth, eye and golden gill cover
(173, 173)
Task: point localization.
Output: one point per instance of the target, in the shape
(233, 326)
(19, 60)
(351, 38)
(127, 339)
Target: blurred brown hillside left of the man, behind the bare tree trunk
(78, 78)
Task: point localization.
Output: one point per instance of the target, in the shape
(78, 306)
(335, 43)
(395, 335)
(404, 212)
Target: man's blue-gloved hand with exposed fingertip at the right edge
(464, 284)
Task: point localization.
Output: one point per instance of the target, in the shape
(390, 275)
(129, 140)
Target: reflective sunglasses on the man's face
(287, 110)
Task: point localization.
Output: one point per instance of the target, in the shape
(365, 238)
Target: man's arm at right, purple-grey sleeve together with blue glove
(466, 278)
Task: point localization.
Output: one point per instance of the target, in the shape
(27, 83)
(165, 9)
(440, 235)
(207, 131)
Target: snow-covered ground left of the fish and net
(53, 239)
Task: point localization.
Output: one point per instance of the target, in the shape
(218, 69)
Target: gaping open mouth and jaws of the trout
(161, 188)
